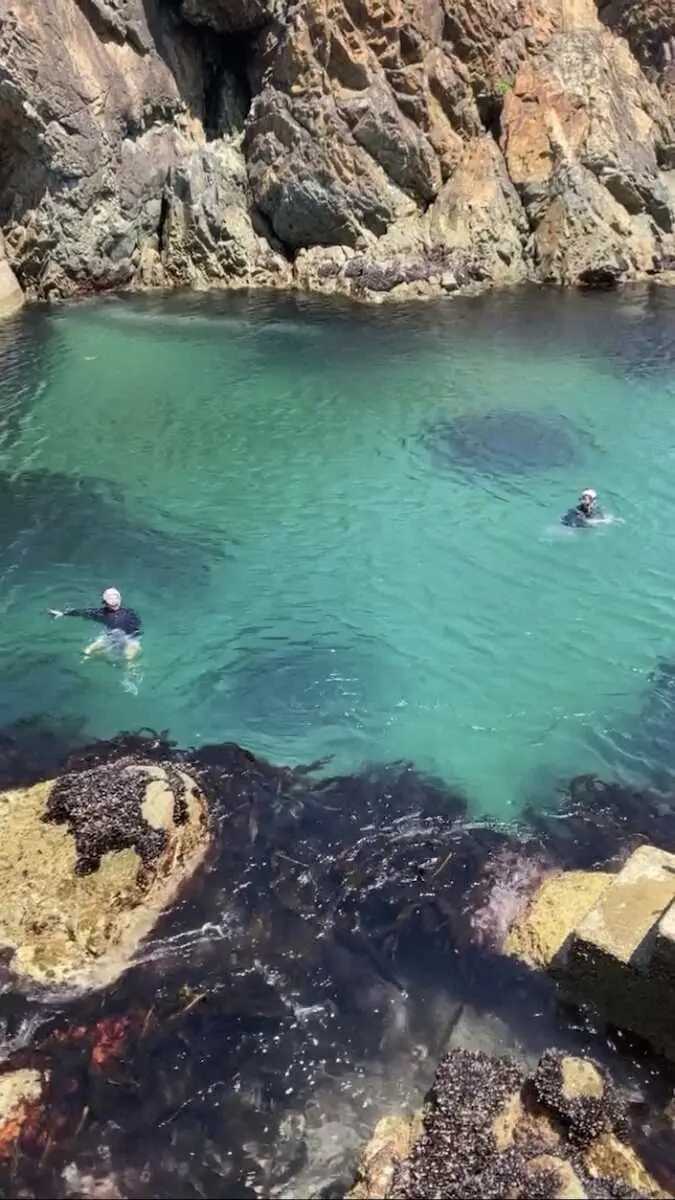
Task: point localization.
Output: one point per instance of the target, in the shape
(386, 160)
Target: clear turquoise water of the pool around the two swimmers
(320, 573)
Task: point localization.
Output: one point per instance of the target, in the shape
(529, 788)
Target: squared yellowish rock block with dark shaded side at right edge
(610, 939)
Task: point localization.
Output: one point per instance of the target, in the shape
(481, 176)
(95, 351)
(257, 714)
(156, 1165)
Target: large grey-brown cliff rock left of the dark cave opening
(88, 127)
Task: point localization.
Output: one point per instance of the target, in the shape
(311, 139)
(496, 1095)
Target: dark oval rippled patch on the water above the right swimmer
(503, 442)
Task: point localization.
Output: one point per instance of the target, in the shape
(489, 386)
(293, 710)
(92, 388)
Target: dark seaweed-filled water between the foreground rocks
(339, 937)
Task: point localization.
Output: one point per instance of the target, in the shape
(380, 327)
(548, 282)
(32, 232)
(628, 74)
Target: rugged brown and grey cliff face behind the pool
(367, 147)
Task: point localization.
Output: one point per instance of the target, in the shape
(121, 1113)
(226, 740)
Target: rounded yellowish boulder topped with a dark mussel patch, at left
(88, 862)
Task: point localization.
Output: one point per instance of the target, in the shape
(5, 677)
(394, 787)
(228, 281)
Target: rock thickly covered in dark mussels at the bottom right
(492, 1131)
